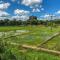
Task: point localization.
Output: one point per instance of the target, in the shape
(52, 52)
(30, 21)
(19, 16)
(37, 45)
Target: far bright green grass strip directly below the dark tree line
(33, 28)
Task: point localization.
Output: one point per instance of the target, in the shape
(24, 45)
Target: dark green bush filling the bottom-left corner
(5, 53)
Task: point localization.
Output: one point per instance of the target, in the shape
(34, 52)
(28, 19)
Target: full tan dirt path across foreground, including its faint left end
(36, 48)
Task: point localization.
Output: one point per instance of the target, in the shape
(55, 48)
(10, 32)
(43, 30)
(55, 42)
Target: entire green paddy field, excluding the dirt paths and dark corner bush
(34, 36)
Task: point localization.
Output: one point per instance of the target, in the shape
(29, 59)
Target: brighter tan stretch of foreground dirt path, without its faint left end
(41, 49)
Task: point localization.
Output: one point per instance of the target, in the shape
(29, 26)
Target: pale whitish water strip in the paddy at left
(9, 33)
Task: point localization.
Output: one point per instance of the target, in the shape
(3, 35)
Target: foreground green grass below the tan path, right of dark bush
(28, 54)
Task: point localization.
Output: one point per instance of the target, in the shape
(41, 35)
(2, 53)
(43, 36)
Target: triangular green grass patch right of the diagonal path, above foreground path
(53, 44)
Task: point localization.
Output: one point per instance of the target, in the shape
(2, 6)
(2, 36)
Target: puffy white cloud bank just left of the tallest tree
(21, 14)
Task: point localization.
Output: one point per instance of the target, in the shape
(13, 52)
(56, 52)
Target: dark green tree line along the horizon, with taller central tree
(31, 21)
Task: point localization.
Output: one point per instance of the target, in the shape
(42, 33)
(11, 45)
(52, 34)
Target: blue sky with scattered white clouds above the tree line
(22, 9)
